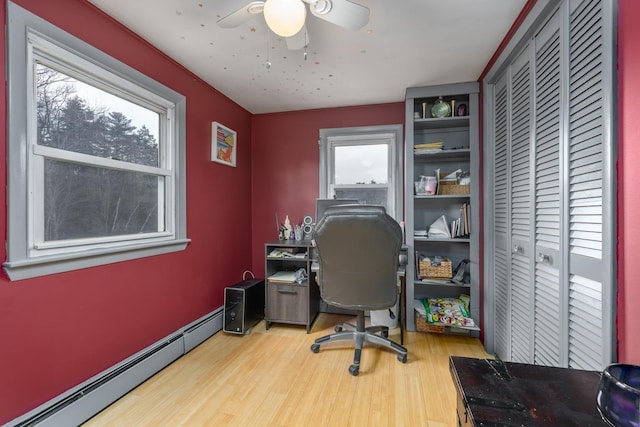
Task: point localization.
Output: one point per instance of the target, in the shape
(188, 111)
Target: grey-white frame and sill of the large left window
(32, 40)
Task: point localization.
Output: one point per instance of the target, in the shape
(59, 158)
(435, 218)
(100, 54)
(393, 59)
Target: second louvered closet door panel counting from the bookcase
(521, 215)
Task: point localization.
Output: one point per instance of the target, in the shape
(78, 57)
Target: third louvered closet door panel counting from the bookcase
(547, 282)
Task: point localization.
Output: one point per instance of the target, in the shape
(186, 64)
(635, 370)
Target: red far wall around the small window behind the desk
(285, 178)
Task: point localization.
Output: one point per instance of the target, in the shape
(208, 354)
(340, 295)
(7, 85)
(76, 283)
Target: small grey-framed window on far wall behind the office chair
(363, 163)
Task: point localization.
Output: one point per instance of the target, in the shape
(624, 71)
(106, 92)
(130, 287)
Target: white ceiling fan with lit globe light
(287, 18)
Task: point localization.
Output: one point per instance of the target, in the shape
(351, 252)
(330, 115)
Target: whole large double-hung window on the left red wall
(96, 155)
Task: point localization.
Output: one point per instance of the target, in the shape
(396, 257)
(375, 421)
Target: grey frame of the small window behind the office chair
(389, 135)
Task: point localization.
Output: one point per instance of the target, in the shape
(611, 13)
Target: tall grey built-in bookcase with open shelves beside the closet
(459, 140)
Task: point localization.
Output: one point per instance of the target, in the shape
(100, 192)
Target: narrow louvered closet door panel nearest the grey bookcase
(501, 285)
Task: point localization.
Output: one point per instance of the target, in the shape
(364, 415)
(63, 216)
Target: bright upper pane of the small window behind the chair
(361, 164)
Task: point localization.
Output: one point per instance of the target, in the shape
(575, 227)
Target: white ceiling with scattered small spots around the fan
(407, 43)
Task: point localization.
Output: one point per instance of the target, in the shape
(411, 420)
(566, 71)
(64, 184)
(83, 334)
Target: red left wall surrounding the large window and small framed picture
(59, 330)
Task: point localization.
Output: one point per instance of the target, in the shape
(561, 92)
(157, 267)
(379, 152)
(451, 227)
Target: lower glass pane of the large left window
(86, 201)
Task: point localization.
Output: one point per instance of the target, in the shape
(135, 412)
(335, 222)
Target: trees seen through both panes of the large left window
(86, 201)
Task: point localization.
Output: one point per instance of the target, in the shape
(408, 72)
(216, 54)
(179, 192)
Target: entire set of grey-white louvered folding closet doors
(554, 209)
